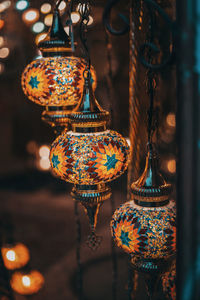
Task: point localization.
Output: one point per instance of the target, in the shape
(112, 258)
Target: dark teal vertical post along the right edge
(188, 136)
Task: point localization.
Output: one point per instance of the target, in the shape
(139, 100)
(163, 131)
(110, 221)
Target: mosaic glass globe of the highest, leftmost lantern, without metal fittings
(55, 81)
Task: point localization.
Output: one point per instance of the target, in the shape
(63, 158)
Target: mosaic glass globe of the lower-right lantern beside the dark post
(147, 232)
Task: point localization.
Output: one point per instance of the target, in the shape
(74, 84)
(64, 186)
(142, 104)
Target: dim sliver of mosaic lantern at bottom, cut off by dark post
(169, 283)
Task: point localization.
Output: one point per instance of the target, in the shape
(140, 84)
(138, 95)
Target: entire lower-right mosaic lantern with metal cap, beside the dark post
(145, 227)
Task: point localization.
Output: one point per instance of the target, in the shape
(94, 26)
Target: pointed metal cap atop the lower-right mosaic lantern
(151, 188)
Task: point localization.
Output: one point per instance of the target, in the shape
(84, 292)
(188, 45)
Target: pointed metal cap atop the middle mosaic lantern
(89, 116)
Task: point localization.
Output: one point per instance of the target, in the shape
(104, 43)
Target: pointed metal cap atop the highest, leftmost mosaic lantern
(57, 40)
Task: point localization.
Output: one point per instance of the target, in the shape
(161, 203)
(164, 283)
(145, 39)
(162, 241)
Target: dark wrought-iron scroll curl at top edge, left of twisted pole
(106, 19)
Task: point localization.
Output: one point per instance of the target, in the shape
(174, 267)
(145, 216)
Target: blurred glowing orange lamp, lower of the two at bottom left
(27, 283)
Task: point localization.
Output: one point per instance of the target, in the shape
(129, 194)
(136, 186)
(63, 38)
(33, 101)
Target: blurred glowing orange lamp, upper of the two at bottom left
(15, 256)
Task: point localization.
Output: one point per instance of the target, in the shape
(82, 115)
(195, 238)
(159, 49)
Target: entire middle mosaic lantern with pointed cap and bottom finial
(90, 155)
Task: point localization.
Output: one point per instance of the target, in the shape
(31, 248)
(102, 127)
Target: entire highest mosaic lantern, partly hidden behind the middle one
(55, 81)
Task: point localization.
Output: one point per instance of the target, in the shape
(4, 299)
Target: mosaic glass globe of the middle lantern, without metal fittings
(89, 158)
